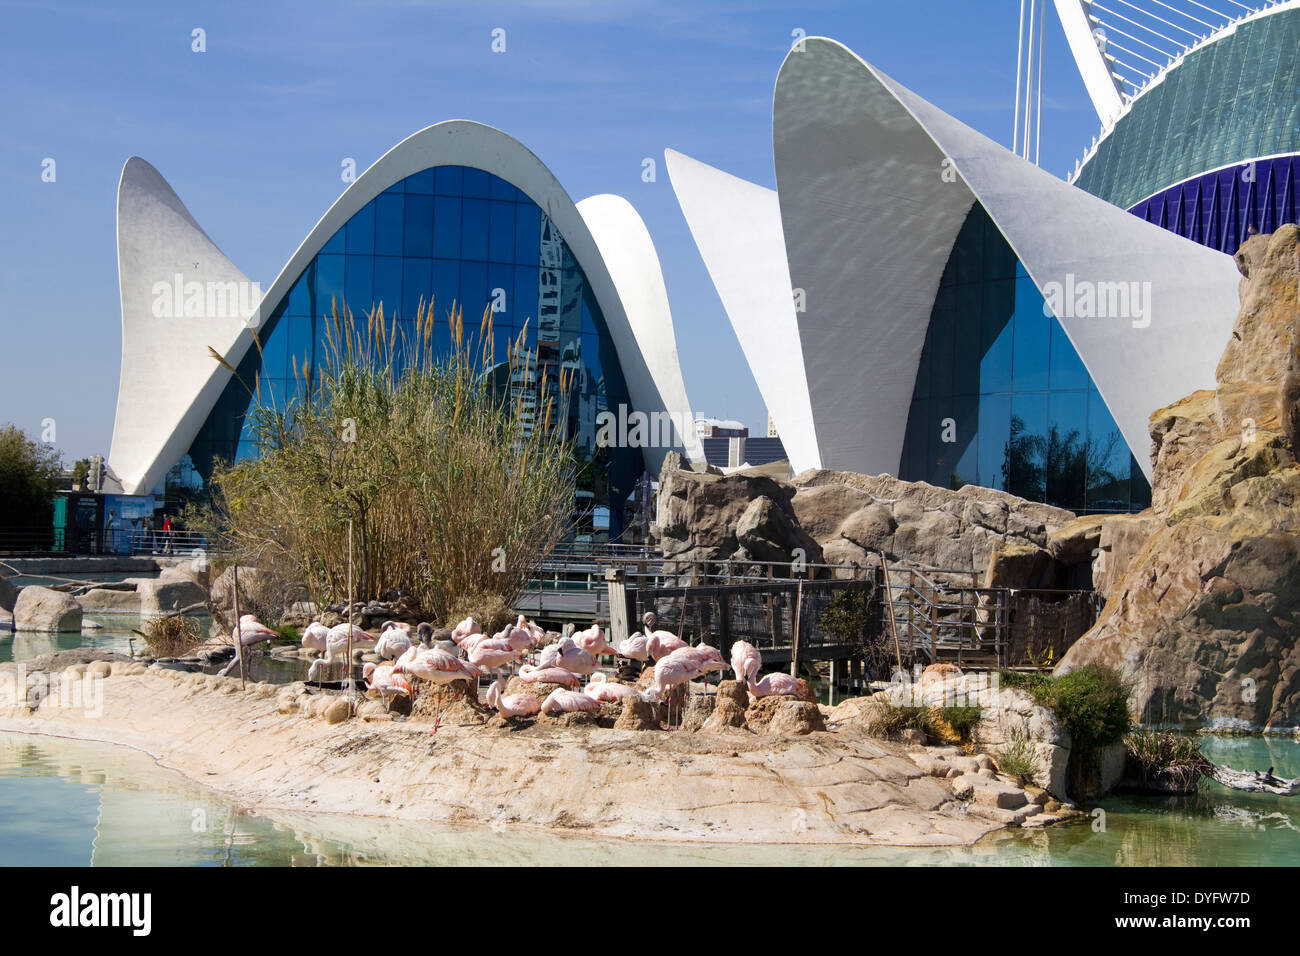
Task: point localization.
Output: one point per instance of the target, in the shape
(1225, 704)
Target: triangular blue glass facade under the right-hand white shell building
(1003, 399)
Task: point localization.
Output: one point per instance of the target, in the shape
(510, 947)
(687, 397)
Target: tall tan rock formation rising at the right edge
(1204, 589)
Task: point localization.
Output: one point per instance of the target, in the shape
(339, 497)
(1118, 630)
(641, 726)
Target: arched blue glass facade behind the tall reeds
(447, 235)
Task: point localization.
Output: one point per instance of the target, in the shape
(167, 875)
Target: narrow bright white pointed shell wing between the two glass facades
(738, 227)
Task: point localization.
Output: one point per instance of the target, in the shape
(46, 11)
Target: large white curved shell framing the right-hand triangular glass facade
(870, 218)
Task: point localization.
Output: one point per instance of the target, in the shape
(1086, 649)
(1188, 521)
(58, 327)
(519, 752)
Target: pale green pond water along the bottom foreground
(75, 803)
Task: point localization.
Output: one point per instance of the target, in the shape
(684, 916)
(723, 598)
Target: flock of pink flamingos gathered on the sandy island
(522, 650)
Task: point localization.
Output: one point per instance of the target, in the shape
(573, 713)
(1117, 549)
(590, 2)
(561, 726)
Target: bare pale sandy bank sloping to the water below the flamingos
(834, 788)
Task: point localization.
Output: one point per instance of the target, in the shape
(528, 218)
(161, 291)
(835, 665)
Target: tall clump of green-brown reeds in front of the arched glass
(456, 471)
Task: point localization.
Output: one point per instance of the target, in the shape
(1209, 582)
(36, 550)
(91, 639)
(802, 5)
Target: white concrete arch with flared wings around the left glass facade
(171, 383)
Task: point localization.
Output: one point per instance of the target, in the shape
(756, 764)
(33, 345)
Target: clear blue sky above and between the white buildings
(252, 135)
